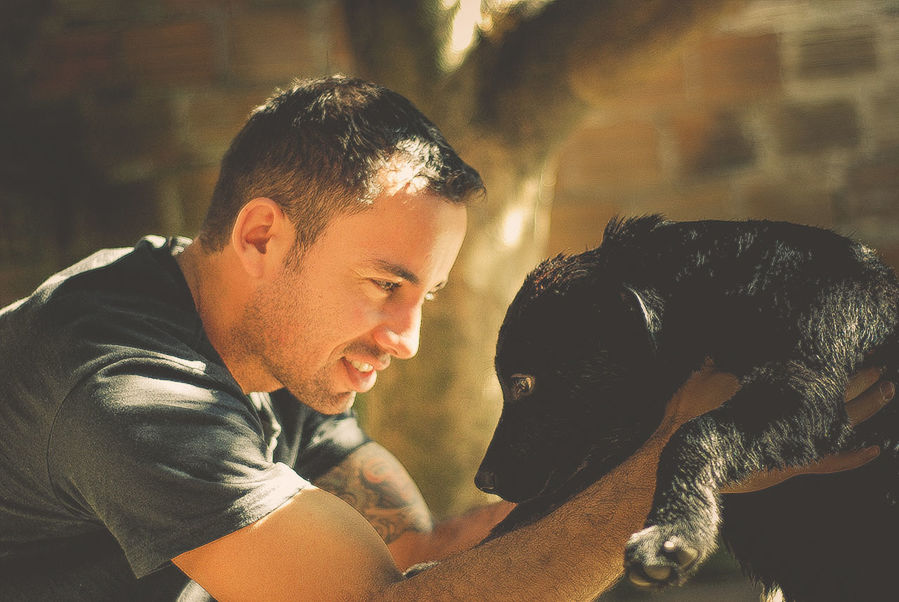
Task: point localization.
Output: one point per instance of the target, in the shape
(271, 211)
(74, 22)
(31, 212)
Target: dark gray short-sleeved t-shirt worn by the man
(119, 417)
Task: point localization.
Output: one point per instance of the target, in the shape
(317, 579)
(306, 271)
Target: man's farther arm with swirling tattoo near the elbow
(376, 484)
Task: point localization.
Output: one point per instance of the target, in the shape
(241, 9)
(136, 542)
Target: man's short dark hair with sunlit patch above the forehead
(317, 149)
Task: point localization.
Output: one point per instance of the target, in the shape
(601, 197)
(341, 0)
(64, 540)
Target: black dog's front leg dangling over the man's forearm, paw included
(778, 418)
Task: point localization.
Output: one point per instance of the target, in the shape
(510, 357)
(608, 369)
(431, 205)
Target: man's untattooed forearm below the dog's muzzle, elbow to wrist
(574, 553)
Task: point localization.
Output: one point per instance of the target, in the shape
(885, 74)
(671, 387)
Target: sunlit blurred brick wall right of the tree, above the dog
(784, 110)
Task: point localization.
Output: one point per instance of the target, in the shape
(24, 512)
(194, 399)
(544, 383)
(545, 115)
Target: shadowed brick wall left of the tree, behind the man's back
(127, 107)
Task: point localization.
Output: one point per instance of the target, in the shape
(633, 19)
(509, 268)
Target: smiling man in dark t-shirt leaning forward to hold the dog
(150, 396)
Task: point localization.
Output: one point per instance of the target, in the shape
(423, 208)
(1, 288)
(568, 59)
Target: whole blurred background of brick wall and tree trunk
(115, 114)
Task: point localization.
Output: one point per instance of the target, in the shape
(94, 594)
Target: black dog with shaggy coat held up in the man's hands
(594, 345)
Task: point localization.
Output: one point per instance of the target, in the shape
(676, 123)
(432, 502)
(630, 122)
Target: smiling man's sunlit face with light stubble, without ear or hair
(325, 330)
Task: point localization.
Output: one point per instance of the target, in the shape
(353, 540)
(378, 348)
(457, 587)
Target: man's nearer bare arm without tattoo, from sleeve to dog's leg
(318, 547)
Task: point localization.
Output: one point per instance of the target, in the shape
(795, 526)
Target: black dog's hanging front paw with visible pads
(655, 557)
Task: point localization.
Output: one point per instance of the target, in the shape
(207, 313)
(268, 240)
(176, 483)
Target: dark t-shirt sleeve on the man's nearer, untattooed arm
(166, 456)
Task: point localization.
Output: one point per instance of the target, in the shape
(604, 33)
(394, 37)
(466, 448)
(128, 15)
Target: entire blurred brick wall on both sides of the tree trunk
(786, 109)
